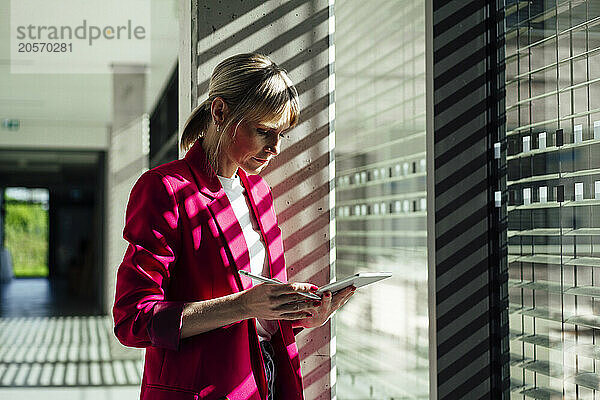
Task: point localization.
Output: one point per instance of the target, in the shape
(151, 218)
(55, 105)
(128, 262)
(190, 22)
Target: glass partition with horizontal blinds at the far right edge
(553, 155)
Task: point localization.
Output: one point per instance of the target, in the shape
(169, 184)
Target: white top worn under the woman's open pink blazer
(236, 193)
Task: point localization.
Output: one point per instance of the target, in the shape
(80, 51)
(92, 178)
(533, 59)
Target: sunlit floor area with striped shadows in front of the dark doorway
(64, 352)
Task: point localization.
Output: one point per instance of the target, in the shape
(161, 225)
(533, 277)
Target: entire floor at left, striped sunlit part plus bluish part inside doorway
(49, 348)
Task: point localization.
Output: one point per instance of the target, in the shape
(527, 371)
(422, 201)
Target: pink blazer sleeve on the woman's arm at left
(142, 315)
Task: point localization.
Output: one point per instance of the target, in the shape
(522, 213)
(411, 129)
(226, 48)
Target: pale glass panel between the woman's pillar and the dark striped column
(382, 334)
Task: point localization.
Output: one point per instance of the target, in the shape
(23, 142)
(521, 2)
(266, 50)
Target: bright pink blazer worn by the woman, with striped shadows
(185, 244)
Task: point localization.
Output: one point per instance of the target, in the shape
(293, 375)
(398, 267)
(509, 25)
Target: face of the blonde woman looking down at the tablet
(254, 145)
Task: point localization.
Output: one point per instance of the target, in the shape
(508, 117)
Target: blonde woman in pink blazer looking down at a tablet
(191, 224)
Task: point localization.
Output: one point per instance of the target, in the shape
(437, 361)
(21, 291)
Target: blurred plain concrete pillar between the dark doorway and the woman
(127, 160)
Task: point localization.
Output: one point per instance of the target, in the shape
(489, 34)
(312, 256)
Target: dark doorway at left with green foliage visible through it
(52, 225)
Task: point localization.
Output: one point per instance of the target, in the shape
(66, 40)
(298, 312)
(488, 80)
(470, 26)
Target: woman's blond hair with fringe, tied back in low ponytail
(254, 89)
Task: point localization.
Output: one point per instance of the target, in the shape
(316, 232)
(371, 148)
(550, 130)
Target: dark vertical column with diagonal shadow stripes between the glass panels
(470, 354)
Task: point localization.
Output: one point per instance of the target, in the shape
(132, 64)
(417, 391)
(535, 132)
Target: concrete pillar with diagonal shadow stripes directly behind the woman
(297, 36)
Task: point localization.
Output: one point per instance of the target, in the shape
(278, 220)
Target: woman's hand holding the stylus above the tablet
(279, 301)
